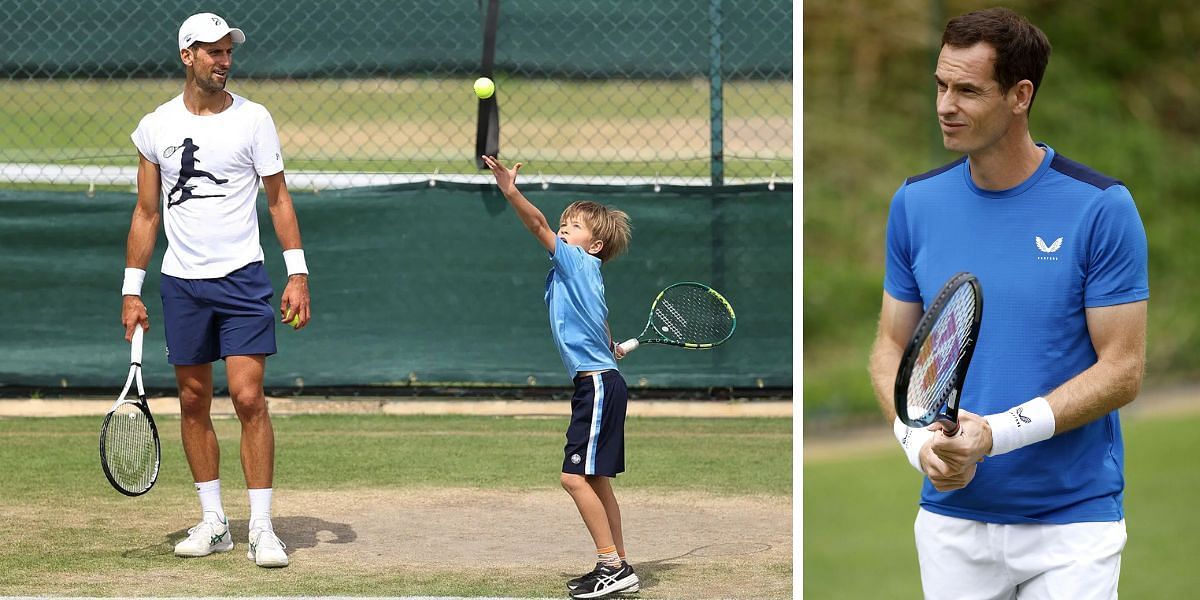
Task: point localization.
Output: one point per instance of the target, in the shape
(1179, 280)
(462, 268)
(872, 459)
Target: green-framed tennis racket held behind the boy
(688, 315)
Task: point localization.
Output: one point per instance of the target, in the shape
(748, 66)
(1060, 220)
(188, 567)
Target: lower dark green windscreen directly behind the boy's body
(427, 286)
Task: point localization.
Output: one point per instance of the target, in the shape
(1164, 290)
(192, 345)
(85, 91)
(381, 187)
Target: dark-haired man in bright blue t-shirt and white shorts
(1027, 501)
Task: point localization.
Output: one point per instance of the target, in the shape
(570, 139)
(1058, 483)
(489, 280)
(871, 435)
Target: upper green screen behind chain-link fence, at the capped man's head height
(379, 38)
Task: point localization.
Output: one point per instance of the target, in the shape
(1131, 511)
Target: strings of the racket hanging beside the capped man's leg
(129, 448)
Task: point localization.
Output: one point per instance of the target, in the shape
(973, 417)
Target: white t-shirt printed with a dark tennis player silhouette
(211, 169)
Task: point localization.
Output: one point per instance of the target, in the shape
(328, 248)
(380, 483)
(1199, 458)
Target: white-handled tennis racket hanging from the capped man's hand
(129, 440)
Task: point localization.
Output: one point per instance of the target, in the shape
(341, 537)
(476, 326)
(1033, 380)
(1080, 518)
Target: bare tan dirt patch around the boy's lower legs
(741, 547)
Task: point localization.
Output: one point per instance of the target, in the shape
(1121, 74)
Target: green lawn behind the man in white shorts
(859, 517)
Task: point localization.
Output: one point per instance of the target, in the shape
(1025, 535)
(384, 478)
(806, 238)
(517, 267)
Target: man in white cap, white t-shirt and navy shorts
(211, 149)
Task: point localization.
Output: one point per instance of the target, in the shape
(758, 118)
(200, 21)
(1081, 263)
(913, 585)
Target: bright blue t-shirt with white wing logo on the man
(1065, 241)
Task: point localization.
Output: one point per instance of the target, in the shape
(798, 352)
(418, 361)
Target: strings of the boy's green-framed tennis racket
(693, 315)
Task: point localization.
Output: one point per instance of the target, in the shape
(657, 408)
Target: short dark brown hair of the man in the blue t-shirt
(1023, 51)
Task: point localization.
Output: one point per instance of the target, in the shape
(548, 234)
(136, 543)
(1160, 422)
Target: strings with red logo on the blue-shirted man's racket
(938, 362)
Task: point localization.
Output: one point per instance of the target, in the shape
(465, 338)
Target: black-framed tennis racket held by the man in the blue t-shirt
(935, 363)
